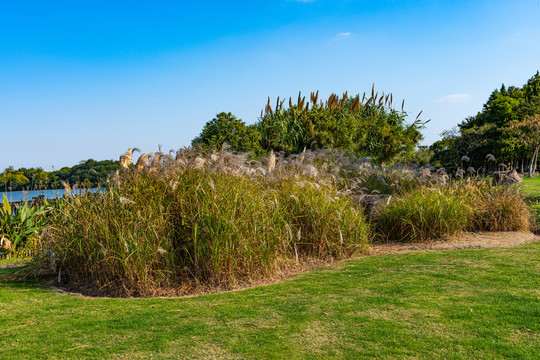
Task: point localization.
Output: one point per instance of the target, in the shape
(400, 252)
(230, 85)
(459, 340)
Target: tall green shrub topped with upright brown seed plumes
(364, 126)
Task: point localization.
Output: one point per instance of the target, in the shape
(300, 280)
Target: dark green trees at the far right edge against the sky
(504, 135)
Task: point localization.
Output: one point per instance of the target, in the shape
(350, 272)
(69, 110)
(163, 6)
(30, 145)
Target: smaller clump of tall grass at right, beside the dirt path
(429, 213)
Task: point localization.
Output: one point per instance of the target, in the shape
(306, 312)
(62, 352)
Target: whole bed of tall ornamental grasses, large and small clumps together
(207, 219)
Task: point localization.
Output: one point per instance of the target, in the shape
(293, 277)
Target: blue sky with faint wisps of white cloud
(88, 79)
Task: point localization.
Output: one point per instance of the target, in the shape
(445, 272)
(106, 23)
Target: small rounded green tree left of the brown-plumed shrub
(226, 128)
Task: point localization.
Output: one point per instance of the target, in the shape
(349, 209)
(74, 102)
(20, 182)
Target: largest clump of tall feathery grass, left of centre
(179, 222)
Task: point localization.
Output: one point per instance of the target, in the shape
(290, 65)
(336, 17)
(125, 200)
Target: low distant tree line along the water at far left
(89, 173)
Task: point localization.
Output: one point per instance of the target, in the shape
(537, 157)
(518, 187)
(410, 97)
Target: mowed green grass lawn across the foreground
(460, 304)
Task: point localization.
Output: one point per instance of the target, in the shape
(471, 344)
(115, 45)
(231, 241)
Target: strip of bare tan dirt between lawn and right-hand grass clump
(464, 241)
